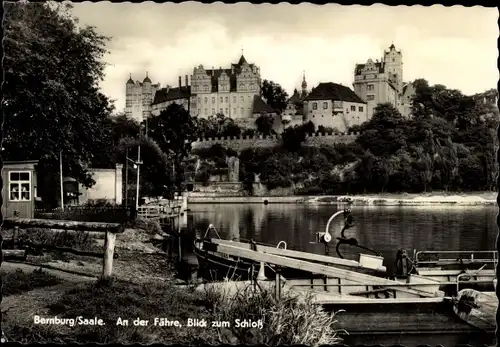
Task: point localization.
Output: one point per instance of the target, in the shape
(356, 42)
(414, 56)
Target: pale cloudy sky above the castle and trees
(455, 46)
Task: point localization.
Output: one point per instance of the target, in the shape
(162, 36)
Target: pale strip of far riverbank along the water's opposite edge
(401, 199)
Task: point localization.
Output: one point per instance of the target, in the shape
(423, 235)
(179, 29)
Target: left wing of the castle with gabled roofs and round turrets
(233, 91)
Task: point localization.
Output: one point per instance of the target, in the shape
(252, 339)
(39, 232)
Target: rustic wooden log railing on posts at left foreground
(110, 229)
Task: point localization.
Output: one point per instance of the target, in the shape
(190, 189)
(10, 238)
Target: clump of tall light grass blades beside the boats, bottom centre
(288, 321)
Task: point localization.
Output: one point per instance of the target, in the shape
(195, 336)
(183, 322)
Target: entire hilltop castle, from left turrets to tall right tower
(235, 92)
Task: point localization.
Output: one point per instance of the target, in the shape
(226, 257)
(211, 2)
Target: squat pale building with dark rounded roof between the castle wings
(333, 105)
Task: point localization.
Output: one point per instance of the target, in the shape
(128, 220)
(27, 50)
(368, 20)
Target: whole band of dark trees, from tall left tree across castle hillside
(52, 105)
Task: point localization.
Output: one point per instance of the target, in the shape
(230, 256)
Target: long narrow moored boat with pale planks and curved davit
(216, 265)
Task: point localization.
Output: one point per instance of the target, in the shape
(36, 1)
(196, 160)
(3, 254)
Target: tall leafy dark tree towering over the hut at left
(51, 96)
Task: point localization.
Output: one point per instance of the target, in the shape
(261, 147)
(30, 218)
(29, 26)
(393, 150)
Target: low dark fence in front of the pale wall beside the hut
(103, 214)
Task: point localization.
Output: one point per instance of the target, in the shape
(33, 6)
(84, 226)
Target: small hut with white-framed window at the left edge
(19, 188)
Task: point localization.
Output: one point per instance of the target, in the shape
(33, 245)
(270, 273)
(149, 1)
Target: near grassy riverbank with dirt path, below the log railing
(143, 288)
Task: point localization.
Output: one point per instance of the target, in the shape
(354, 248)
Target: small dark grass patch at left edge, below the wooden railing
(17, 282)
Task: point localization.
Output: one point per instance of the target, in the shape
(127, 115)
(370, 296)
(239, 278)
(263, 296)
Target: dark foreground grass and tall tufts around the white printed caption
(289, 321)
